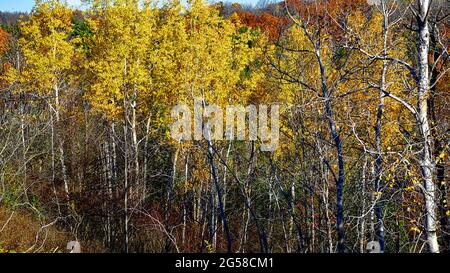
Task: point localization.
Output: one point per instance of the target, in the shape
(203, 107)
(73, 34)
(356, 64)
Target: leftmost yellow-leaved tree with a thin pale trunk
(48, 53)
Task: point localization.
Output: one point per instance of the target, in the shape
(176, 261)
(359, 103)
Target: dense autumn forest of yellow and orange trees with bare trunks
(362, 156)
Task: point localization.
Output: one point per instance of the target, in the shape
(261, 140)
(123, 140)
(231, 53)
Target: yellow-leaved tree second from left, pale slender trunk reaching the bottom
(121, 43)
